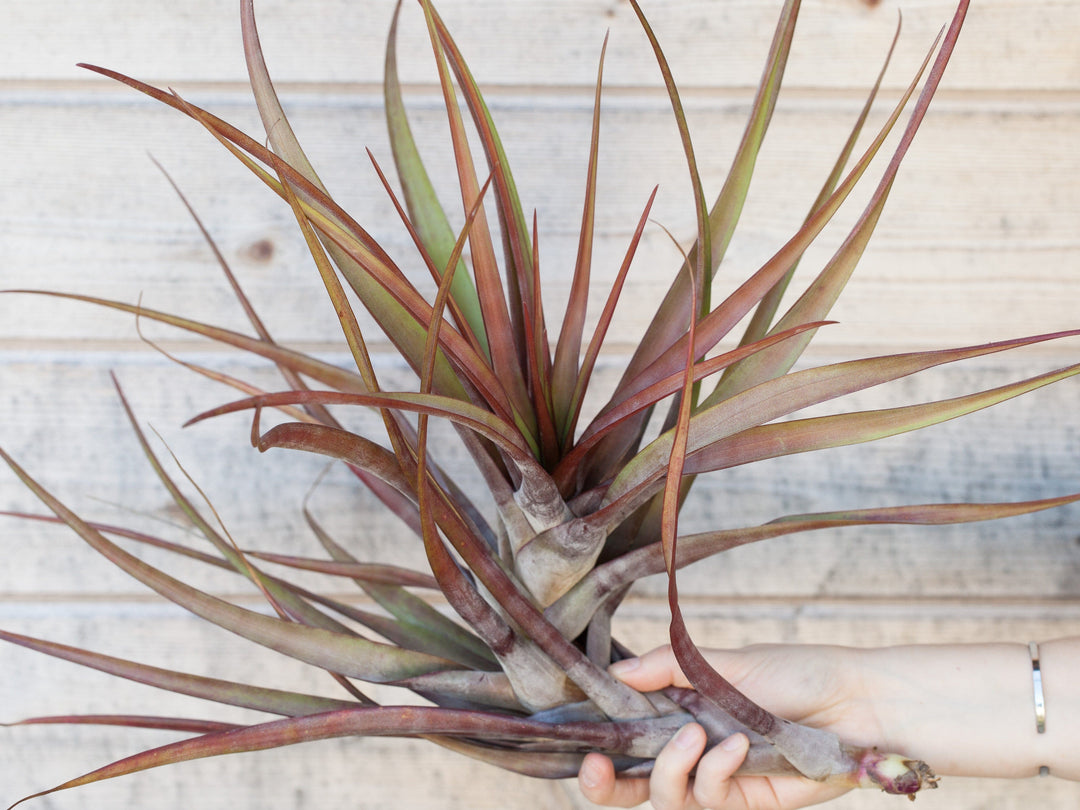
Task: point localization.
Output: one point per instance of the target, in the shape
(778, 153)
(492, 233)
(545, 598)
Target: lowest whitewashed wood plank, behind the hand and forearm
(374, 774)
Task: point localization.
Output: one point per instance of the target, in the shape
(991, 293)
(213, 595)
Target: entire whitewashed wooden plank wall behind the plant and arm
(980, 242)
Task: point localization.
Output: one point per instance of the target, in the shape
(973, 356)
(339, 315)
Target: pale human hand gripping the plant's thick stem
(815, 685)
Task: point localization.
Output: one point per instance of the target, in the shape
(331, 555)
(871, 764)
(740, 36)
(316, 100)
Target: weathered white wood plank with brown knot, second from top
(979, 240)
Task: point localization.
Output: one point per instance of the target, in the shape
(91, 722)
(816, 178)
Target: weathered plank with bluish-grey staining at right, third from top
(1010, 453)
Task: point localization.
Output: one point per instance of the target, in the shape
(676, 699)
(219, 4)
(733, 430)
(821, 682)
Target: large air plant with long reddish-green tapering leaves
(580, 509)
